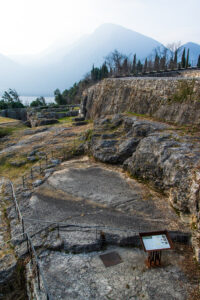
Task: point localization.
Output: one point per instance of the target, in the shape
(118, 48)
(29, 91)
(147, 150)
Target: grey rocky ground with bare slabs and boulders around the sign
(86, 196)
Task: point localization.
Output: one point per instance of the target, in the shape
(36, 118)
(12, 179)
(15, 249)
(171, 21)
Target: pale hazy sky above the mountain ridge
(30, 26)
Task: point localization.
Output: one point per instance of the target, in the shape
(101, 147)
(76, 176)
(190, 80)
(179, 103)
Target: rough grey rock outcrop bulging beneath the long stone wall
(156, 154)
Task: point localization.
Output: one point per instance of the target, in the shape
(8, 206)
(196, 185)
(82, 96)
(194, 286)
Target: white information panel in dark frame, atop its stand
(156, 241)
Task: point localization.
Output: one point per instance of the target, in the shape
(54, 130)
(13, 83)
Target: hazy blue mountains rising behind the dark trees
(62, 65)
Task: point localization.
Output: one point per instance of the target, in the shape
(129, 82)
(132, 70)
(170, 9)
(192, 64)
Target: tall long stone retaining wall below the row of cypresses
(150, 96)
